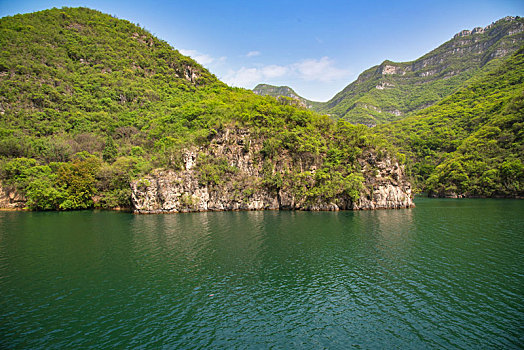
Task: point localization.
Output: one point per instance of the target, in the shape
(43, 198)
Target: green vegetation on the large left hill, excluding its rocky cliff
(89, 102)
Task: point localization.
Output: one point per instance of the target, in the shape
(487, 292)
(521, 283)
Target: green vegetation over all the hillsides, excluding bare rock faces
(89, 103)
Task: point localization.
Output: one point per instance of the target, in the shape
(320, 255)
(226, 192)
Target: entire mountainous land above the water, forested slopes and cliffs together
(117, 118)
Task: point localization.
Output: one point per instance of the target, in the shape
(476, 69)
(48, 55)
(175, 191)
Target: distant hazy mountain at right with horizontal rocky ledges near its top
(393, 90)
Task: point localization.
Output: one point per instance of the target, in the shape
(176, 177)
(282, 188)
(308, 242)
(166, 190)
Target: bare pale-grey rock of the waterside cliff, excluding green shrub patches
(172, 191)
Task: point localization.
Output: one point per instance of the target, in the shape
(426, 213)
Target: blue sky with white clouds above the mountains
(315, 47)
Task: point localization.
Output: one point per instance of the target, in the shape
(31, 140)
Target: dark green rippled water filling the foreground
(446, 274)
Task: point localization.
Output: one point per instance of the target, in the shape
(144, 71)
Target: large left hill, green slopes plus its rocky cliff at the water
(97, 112)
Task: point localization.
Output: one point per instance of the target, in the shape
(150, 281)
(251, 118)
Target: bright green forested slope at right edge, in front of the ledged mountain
(472, 142)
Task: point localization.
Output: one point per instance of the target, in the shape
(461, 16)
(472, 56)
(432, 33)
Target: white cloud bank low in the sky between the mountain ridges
(321, 70)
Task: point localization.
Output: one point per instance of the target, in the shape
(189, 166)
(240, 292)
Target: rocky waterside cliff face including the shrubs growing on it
(243, 178)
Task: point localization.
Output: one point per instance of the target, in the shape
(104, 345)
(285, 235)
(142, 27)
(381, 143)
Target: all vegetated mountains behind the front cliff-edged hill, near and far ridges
(469, 143)
